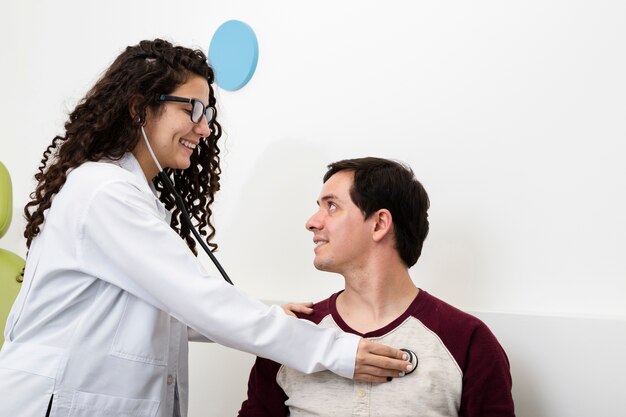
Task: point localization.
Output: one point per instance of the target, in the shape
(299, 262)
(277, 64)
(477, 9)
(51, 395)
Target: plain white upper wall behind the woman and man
(511, 114)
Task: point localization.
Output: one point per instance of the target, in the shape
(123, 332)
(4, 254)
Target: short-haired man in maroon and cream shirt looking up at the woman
(370, 226)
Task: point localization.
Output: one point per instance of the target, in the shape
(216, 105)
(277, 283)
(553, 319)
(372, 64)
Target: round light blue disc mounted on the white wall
(233, 54)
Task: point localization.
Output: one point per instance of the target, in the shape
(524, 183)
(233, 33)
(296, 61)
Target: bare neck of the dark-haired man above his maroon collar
(372, 300)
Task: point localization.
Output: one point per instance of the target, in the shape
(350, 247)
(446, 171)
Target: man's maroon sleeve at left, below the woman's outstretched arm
(265, 397)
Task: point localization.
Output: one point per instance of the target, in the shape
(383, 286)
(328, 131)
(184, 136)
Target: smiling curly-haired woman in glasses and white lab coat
(112, 289)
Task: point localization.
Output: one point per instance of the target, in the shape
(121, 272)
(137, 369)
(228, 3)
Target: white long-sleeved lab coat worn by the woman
(109, 290)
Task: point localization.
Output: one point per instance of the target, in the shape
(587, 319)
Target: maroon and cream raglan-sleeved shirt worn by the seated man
(462, 371)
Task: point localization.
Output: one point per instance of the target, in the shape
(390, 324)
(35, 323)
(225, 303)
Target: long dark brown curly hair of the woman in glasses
(101, 127)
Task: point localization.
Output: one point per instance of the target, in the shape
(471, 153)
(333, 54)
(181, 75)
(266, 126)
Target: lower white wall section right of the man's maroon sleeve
(563, 366)
